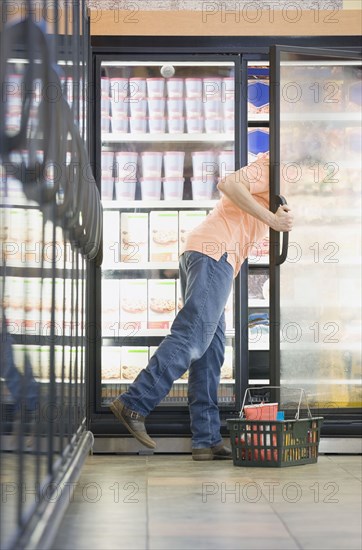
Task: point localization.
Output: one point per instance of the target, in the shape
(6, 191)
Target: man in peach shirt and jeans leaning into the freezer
(212, 257)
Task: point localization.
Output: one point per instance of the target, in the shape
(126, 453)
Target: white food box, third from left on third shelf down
(163, 236)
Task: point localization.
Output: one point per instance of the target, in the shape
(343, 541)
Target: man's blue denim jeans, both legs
(196, 342)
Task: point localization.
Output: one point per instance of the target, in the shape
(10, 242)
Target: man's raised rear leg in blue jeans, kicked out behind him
(207, 284)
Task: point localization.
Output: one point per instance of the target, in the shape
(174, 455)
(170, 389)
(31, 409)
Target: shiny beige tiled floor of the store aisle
(170, 502)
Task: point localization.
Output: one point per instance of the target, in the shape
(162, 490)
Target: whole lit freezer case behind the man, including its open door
(166, 129)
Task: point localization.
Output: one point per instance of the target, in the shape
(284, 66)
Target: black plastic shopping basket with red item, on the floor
(275, 443)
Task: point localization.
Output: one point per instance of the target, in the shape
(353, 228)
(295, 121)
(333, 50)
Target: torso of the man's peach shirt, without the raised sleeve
(229, 229)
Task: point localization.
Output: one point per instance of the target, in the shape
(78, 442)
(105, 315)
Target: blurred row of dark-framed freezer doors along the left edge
(50, 226)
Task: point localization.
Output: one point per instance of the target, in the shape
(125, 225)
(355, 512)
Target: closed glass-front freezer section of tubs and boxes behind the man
(167, 135)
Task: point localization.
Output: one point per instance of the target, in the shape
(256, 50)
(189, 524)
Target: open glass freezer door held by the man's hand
(316, 166)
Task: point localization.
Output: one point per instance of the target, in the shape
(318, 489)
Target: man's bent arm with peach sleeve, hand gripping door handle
(236, 187)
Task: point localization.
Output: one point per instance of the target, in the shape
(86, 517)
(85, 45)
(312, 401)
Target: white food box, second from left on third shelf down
(134, 237)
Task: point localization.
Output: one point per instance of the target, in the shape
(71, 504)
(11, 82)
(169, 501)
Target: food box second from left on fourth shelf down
(133, 306)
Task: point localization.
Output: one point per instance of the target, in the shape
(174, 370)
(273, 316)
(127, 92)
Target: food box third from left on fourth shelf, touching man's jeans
(161, 303)
